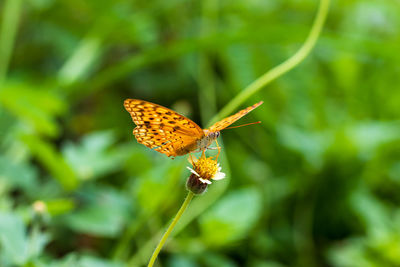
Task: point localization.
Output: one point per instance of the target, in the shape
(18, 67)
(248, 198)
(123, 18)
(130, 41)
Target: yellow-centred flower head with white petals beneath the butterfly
(204, 170)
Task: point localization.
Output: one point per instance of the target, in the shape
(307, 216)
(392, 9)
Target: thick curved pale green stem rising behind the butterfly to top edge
(282, 68)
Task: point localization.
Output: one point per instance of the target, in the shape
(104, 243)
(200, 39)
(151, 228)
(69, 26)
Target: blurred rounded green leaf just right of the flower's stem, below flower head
(231, 218)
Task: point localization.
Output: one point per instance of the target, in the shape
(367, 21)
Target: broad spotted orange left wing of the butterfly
(162, 129)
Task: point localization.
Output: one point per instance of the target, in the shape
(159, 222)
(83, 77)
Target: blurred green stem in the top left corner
(9, 25)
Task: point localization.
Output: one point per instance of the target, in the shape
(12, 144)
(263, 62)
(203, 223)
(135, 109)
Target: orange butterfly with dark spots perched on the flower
(172, 134)
